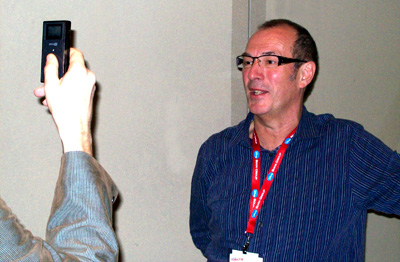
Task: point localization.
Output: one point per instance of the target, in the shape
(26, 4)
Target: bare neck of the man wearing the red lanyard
(272, 131)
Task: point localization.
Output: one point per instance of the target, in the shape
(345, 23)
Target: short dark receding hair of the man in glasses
(303, 48)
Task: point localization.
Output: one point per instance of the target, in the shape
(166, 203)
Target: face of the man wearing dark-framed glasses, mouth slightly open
(269, 91)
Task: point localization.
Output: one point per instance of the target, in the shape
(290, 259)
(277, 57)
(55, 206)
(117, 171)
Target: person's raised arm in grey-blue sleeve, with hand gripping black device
(80, 224)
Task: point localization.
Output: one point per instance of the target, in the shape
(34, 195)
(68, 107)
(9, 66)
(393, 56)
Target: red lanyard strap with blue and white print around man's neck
(257, 197)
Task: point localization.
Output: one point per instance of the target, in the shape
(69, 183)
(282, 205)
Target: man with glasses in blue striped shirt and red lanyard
(285, 184)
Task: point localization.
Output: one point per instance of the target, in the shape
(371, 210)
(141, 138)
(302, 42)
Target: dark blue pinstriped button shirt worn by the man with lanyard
(332, 173)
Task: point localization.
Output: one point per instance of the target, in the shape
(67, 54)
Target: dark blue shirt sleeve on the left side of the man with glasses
(199, 212)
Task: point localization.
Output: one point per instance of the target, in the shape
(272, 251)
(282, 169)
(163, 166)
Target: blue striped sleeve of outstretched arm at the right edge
(374, 173)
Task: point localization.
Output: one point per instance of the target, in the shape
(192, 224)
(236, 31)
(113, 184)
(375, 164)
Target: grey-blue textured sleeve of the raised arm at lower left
(80, 223)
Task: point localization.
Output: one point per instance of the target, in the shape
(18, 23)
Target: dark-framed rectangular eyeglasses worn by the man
(264, 61)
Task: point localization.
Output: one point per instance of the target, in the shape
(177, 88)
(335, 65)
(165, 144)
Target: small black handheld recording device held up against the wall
(56, 40)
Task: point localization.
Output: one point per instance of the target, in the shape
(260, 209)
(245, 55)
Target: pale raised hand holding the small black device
(70, 100)
